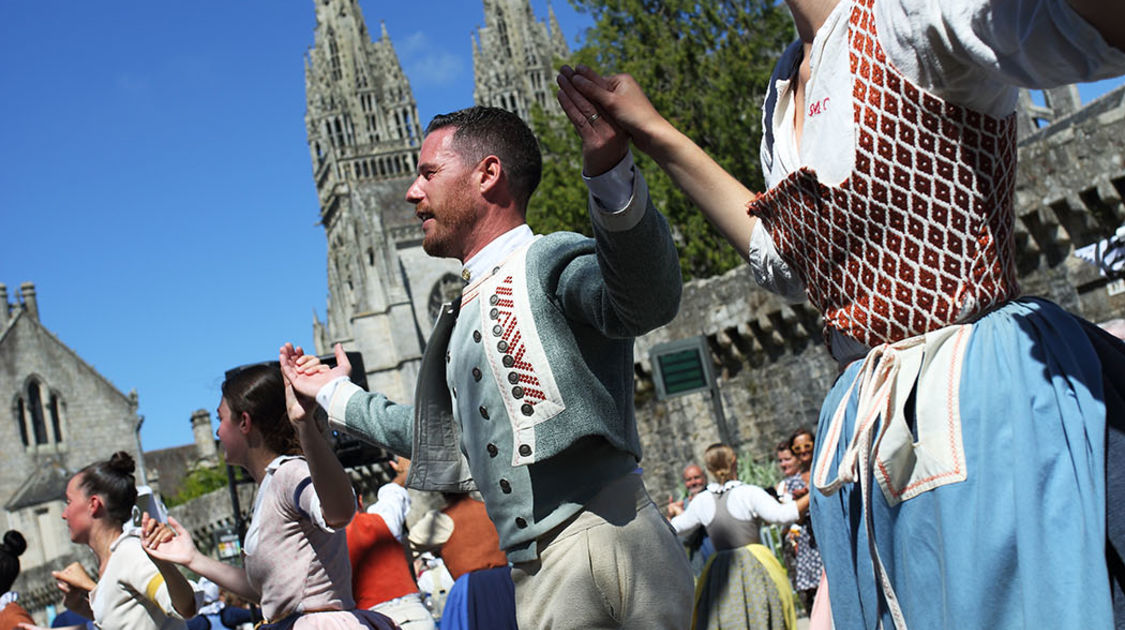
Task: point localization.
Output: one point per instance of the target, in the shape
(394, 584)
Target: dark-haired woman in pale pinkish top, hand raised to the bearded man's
(296, 551)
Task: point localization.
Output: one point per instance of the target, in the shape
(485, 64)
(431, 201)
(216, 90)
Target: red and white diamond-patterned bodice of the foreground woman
(920, 236)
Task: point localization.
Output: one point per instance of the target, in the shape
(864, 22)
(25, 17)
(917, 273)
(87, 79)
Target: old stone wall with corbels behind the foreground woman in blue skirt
(772, 367)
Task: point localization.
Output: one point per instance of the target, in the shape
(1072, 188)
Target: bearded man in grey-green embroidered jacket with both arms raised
(526, 388)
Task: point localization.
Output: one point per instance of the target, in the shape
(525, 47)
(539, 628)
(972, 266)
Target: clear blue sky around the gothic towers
(156, 183)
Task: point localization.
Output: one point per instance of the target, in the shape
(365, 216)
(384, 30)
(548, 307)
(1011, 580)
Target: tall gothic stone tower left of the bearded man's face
(364, 138)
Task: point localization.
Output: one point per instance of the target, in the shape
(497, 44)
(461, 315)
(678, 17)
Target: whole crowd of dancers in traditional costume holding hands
(967, 463)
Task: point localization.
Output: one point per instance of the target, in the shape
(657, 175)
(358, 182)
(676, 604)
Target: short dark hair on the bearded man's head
(490, 131)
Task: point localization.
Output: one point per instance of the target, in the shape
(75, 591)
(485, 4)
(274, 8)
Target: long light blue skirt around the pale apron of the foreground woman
(1022, 542)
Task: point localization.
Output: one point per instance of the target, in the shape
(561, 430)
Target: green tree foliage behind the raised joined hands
(705, 66)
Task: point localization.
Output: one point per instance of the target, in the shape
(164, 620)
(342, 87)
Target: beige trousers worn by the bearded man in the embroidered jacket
(617, 564)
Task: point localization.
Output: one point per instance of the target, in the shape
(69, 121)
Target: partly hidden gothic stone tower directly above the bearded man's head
(515, 60)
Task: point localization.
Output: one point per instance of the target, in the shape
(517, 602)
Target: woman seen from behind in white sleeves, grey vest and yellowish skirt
(743, 586)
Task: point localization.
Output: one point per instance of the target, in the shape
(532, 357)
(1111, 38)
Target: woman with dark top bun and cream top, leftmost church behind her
(134, 591)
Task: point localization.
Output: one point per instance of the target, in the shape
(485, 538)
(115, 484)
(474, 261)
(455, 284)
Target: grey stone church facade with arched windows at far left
(62, 416)
